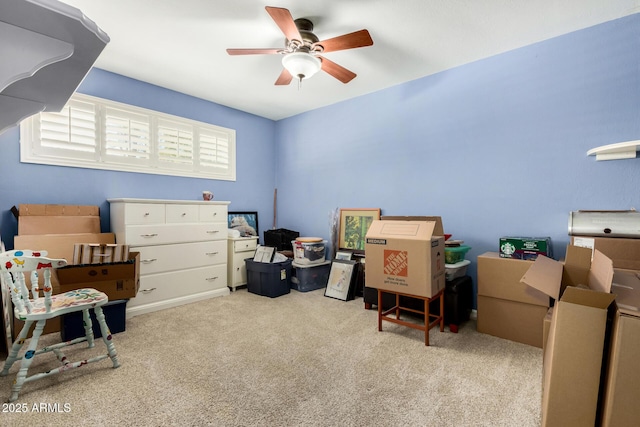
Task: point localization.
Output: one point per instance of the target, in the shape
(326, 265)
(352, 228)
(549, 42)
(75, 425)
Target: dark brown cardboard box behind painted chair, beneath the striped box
(120, 280)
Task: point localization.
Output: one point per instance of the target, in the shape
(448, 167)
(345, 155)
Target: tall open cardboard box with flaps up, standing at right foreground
(573, 355)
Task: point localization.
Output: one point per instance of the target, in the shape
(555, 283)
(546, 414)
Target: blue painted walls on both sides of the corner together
(496, 147)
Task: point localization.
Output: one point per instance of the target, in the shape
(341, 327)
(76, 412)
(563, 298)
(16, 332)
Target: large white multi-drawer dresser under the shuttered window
(183, 249)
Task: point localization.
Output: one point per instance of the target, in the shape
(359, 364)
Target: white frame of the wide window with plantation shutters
(222, 167)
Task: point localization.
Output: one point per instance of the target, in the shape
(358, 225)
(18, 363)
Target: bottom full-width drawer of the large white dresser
(166, 286)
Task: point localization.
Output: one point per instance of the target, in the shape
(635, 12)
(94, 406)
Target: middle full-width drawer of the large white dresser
(162, 258)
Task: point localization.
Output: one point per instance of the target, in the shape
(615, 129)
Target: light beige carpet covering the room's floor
(301, 359)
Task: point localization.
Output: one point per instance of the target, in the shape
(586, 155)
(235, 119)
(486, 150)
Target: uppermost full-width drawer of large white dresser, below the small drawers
(147, 235)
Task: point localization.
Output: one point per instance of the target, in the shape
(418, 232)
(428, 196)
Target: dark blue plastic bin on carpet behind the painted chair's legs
(115, 312)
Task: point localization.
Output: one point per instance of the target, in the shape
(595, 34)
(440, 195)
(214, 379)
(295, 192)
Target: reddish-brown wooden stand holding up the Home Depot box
(397, 309)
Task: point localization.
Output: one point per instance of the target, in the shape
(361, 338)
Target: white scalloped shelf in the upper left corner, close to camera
(47, 48)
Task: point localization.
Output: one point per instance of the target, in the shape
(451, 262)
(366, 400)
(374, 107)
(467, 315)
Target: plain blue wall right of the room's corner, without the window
(497, 147)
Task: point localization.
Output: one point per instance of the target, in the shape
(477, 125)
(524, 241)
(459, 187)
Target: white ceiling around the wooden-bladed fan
(180, 44)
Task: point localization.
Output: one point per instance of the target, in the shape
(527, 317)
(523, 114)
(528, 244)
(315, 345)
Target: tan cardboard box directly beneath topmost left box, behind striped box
(60, 245)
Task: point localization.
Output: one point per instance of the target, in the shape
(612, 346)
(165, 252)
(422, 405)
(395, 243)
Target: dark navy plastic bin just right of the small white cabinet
(268, 279)
